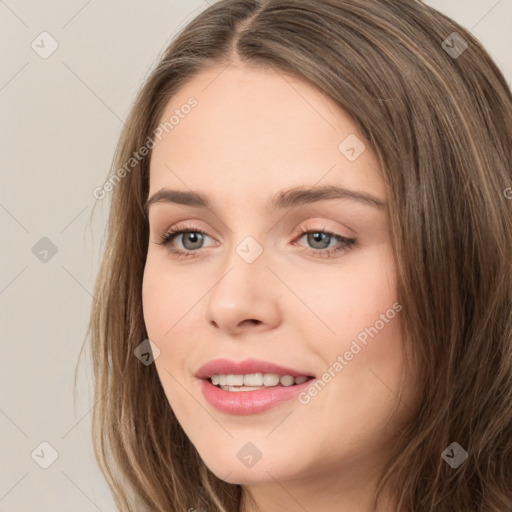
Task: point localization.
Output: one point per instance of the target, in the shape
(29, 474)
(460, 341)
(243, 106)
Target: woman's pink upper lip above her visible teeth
(244, 367)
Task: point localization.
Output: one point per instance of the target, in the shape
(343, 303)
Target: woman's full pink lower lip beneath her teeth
(249, 402)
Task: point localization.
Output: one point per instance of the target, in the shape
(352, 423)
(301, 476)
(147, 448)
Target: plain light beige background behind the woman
(60, 119)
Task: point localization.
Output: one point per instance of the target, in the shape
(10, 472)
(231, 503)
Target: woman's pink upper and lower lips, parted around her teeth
(247, 402)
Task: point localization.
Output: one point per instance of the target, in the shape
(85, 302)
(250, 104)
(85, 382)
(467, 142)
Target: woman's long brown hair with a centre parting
(438, 115)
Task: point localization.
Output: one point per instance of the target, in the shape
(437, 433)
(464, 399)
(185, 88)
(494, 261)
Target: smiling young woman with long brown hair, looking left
(240, 366)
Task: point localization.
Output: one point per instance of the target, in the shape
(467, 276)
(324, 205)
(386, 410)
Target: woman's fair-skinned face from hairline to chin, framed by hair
(255, 287)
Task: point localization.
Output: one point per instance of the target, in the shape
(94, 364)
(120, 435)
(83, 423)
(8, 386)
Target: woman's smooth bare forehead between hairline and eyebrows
(253, 130)
